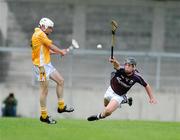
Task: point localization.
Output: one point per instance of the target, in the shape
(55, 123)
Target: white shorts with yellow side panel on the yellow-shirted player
(43, 73)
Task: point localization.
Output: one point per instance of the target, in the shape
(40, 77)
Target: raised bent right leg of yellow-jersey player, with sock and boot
(56, 76)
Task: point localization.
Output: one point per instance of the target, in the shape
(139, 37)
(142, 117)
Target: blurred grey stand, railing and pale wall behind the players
(149, 30)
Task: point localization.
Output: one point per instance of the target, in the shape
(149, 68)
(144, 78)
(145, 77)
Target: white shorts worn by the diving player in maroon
(111, 95)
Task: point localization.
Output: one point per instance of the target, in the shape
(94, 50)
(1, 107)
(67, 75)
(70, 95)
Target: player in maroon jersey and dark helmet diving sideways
(122, 80)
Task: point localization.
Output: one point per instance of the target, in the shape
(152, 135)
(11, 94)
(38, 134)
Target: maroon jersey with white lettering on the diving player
(121, 83)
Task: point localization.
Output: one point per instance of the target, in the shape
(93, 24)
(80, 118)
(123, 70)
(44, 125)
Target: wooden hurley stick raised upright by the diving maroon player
(114, 27)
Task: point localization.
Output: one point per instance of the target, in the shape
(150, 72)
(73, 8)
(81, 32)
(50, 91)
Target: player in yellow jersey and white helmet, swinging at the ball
(42, 47)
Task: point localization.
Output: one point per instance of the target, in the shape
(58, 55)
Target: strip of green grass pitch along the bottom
(33, 129)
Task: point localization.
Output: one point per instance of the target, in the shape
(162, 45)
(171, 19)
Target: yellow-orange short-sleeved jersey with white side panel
(40, 48)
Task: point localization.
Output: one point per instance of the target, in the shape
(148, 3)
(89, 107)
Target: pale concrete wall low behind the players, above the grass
(88, 102)
